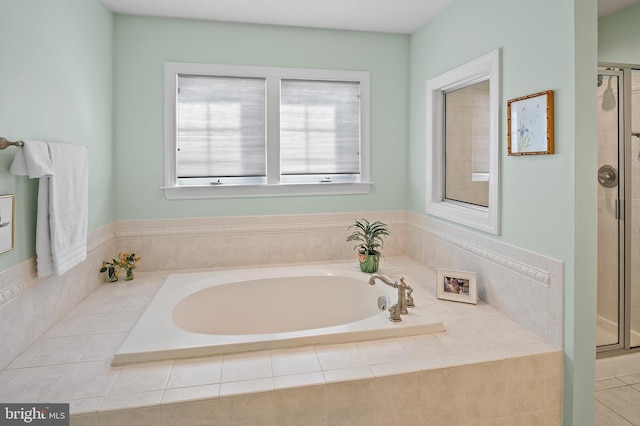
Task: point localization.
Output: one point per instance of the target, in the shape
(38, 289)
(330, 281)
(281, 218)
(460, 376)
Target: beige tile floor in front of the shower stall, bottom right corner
(618, 401)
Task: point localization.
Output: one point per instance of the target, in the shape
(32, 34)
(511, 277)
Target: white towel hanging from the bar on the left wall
(61, 228)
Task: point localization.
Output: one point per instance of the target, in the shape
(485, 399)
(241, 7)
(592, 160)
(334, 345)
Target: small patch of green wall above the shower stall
(618, 37)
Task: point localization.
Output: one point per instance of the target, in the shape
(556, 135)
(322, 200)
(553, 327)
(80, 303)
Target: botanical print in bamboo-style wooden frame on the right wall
(530, 124)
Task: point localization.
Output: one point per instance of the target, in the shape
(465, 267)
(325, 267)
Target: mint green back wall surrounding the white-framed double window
(142, 45)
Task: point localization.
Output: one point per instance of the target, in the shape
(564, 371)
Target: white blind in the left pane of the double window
(220, 127)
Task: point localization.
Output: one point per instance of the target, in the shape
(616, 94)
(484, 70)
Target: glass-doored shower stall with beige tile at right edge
(618, 174)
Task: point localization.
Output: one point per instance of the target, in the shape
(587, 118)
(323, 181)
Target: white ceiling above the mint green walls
(393, 16)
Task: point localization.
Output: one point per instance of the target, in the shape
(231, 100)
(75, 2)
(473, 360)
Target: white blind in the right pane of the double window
(319, 127)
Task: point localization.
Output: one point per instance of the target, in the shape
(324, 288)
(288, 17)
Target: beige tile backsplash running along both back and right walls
(525, 286)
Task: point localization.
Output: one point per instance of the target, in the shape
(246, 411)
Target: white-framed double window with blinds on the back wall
(255, 131)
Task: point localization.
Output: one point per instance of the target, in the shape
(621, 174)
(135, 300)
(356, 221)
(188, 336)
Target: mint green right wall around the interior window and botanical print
(541, 196)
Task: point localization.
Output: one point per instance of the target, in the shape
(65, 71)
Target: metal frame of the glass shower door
(623, 71)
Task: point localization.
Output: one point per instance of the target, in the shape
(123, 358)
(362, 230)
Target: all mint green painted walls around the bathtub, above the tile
(62, 56)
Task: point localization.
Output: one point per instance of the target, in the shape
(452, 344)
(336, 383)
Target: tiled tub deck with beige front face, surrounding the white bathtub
(484, 367)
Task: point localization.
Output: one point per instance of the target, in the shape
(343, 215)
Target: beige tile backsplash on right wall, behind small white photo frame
(524, 286)
